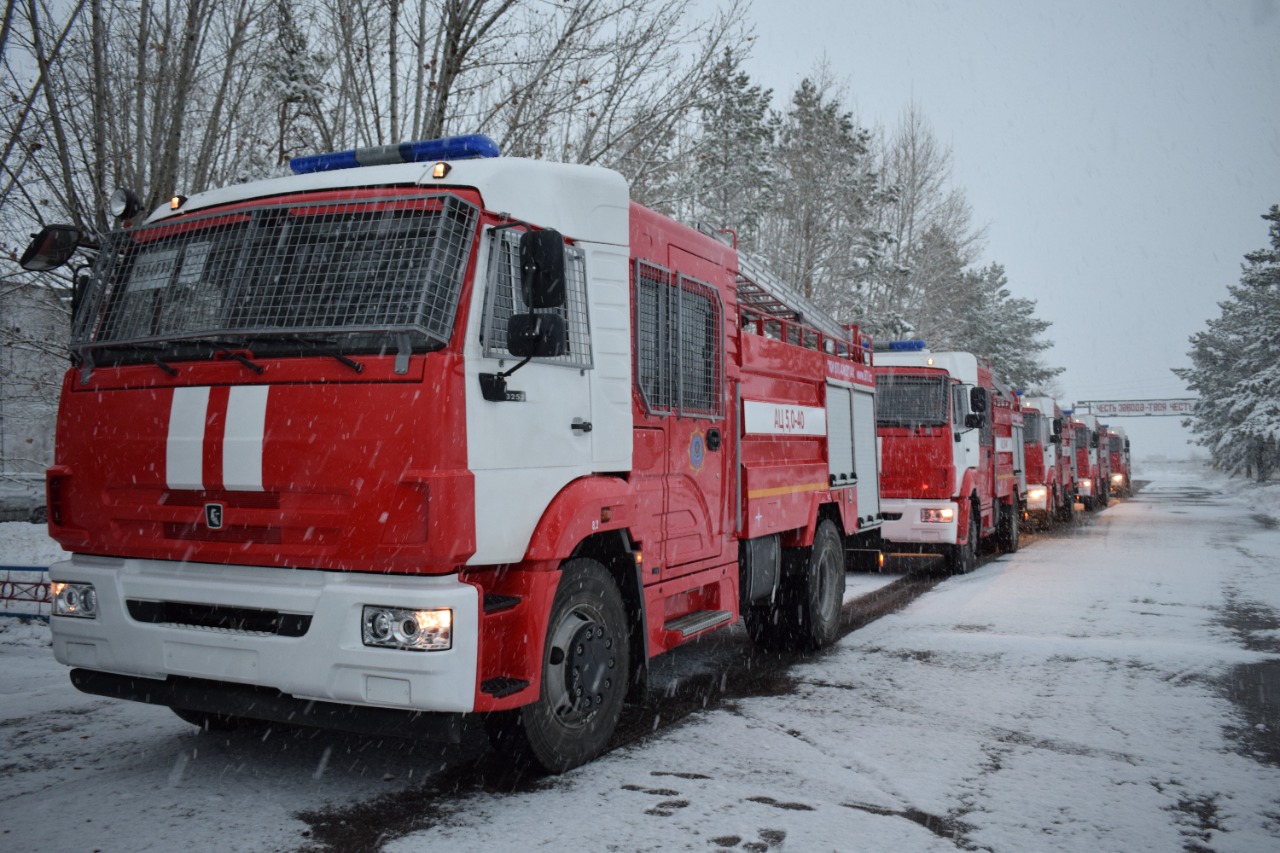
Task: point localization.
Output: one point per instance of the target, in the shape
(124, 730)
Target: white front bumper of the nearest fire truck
(330, 663)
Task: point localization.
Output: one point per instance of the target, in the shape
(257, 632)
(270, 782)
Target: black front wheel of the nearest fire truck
(586, 665)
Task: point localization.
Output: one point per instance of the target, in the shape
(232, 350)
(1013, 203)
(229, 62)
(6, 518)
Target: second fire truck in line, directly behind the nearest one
(952, 454)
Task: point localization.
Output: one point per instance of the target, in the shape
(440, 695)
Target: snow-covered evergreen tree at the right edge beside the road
(1236, 370)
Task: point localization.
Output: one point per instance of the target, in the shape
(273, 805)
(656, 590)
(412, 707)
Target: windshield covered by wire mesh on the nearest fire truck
(281, 276)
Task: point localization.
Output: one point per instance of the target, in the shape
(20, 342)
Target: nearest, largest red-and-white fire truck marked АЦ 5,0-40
(424, 432)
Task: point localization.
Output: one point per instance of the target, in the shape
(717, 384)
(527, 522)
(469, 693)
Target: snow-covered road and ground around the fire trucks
(1112, 687)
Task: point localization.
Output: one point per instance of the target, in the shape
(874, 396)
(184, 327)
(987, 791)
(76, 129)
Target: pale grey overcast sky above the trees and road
(1121, 154)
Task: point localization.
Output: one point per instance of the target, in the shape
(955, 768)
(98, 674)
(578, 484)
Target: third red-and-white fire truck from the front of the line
(1050, 478)
